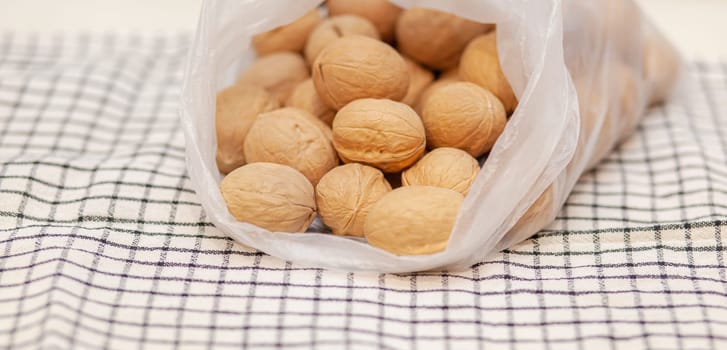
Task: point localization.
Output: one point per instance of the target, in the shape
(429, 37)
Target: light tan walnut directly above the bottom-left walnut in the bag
(292, 137)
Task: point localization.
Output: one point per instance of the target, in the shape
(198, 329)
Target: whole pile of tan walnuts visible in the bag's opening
(332, 91)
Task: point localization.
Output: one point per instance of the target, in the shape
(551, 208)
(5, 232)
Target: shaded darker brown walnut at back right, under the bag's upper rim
(435, 38)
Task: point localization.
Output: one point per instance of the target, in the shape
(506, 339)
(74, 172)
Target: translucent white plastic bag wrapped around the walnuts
(583, 71)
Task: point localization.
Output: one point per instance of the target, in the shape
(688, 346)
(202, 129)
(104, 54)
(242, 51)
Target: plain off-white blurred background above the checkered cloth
(695, 26)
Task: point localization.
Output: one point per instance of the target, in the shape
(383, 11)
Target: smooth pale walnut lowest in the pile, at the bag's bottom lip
(413, 220)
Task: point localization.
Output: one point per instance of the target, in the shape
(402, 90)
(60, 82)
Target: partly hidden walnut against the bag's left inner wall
(236, 109)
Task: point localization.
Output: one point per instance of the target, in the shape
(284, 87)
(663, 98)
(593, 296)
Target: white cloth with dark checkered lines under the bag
(104, 245)
